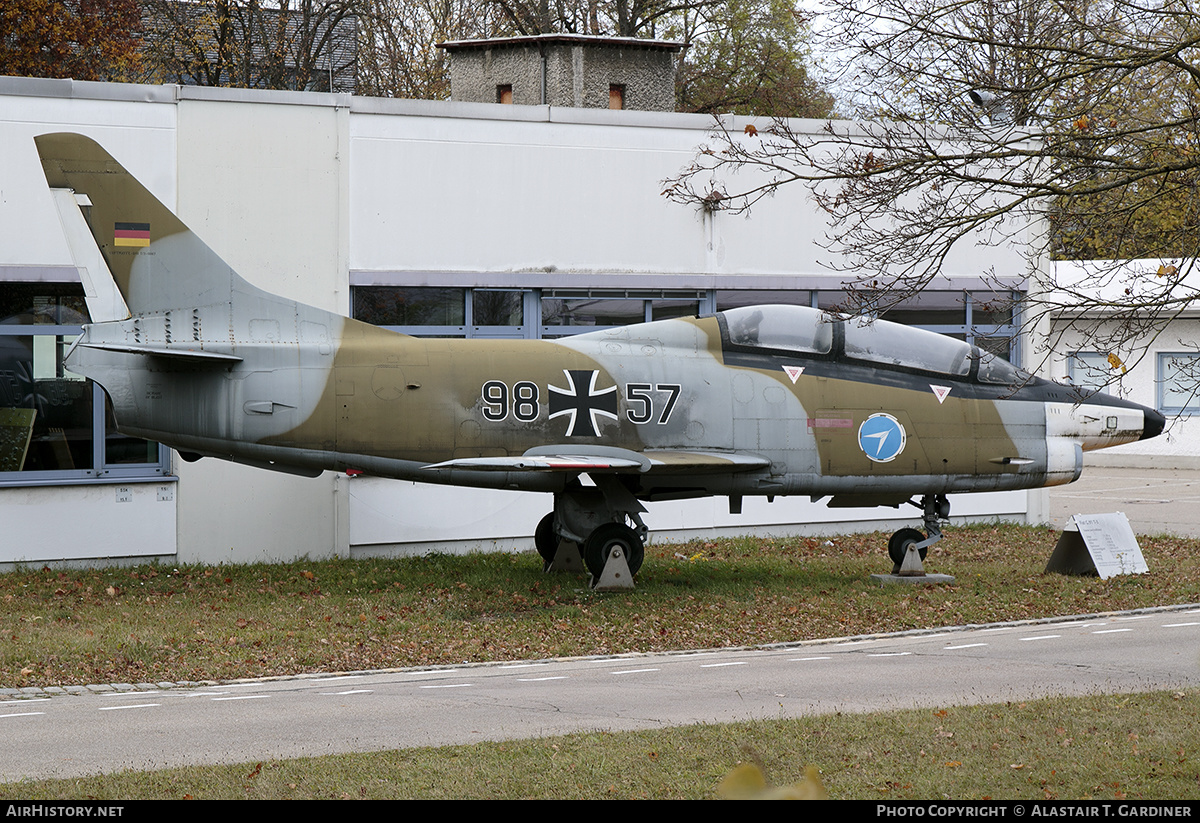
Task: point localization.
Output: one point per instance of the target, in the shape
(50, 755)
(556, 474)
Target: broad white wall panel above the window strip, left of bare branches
(471, 188)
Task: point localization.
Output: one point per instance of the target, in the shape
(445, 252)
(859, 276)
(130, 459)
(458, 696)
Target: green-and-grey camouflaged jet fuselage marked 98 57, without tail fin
(697, 413)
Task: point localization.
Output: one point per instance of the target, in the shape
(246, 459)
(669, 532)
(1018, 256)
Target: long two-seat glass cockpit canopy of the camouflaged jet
(811, 332)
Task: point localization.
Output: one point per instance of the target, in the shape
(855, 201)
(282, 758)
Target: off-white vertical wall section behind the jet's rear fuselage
(265, 185)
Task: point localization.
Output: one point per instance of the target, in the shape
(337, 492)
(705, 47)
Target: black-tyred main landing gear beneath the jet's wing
(603, 525)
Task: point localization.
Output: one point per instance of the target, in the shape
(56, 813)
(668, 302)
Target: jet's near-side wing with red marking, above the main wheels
(617, 461)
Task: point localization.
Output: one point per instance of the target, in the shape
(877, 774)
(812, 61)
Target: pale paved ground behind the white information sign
(1155, 501)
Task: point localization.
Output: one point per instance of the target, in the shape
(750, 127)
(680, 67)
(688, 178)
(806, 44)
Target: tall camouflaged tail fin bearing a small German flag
(157, 262)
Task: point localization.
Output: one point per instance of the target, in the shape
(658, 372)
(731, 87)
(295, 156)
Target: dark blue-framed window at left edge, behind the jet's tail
(57, 426)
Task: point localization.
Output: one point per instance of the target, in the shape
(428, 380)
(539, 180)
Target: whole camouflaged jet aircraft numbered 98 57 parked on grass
(770, 400)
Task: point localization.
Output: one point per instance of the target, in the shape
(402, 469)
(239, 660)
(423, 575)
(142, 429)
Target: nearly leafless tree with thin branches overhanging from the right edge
(1067, 127)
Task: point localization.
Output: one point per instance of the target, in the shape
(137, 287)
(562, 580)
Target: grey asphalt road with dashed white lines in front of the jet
(75, 735)
